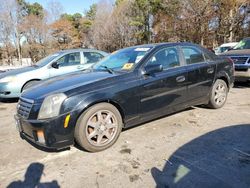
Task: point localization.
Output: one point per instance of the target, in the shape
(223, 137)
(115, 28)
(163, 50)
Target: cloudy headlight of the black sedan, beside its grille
(51, 106)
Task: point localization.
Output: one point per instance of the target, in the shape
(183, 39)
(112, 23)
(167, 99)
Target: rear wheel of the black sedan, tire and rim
(218, 95)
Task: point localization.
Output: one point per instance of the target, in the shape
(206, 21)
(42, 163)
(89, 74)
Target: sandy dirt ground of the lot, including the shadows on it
(198, 147)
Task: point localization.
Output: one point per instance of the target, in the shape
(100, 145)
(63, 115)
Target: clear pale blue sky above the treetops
(69, 6)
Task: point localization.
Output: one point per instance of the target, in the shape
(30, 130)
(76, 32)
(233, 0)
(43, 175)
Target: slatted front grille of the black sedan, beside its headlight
(24, 107)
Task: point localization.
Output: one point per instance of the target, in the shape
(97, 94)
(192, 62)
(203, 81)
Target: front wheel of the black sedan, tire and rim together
(98, 127)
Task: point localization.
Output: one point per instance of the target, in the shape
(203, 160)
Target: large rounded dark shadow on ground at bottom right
(218, 159)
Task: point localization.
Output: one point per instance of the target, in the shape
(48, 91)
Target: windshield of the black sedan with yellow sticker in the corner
(122, 60)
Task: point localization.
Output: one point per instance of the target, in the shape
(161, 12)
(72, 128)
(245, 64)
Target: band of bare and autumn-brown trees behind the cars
(31, 31)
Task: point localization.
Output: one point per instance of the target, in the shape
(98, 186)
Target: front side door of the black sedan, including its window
(163, 91)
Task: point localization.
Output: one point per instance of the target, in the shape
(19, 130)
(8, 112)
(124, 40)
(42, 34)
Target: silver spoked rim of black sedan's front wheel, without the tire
(101, 128)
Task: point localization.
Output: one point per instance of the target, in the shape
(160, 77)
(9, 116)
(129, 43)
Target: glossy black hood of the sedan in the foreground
(64, 83)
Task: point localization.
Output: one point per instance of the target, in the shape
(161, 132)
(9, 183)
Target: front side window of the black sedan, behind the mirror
(167, 57)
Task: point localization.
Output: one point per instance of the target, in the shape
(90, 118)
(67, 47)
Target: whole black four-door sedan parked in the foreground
(129, 87)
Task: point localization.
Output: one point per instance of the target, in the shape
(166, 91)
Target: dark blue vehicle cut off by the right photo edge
(240, 54)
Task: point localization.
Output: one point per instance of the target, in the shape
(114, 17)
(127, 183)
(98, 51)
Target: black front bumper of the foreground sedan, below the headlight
(49, 134)
